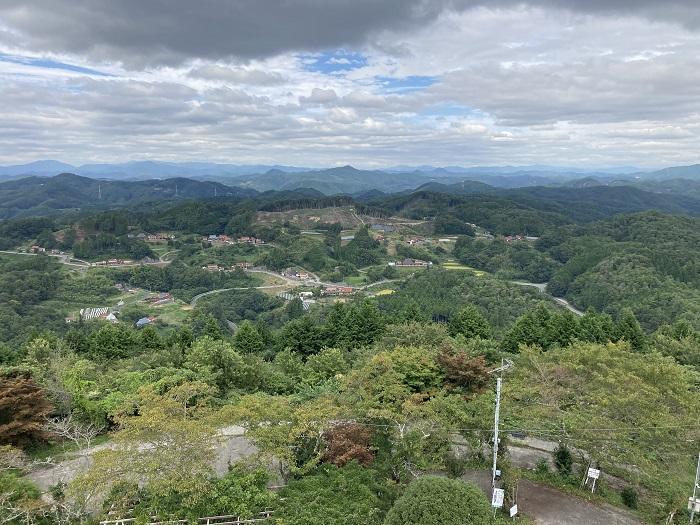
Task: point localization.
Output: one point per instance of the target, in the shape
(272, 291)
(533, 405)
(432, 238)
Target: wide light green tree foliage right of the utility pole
(648, 402)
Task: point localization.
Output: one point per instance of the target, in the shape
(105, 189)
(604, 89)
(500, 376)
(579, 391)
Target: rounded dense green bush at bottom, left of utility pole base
(431, 500)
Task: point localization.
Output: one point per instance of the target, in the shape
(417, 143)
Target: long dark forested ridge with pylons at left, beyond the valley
(47, 195)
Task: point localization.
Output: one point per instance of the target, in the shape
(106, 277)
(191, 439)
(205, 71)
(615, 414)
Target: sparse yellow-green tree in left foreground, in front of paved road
(175, 469)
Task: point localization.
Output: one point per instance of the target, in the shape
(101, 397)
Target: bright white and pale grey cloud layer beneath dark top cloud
(516, 85)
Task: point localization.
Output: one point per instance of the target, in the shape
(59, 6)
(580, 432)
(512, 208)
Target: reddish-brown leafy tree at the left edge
(23, 410)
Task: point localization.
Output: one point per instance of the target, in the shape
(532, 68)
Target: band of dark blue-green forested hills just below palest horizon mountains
(586, 198)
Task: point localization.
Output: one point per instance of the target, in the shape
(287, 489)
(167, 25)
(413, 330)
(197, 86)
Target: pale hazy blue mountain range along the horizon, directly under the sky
(347, 179)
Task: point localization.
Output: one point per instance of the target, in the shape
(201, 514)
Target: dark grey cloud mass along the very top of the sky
(156, 32)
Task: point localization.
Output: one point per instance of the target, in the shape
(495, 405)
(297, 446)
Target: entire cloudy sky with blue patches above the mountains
(371, 83)
